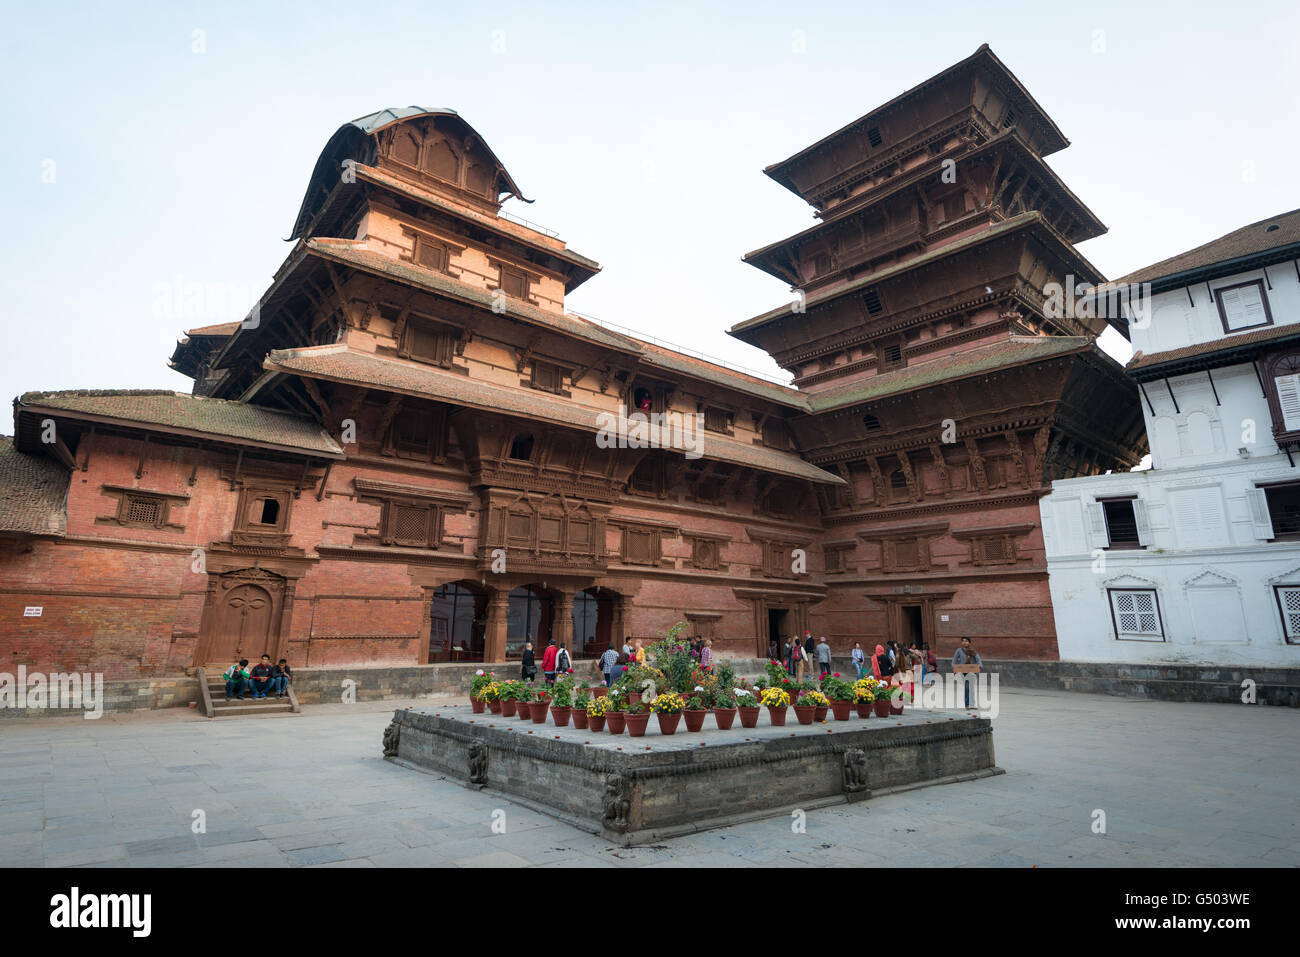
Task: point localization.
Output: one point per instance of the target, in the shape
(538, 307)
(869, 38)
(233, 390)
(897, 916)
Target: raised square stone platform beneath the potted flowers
(638, 790)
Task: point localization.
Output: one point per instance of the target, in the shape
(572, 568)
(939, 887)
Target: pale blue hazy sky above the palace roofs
(150, 148)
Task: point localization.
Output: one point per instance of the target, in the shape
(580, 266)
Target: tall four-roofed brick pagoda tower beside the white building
(939, 387)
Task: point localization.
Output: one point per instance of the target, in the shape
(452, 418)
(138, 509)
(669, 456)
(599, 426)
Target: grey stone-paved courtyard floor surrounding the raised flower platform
(1180, 785)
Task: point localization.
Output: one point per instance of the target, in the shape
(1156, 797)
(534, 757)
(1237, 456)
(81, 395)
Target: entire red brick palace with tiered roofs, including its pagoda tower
(396, 458)
